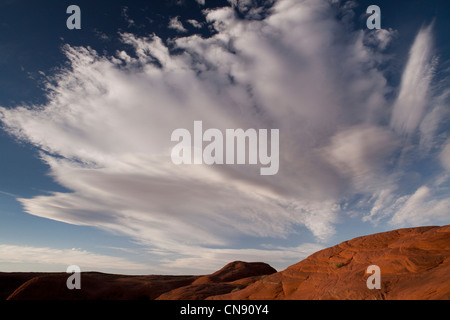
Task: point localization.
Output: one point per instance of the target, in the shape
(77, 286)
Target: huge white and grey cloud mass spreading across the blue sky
(106, 131)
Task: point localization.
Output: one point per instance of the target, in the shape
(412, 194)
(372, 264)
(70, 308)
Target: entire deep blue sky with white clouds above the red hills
(86, 118)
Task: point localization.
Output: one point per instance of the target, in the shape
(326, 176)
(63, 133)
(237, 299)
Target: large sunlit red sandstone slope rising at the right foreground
(414, 263)
